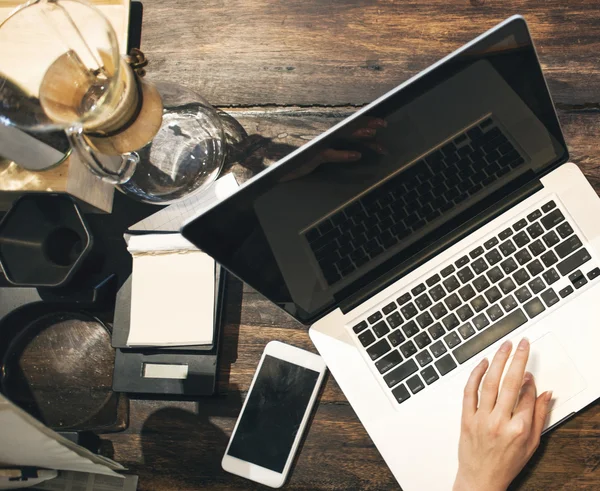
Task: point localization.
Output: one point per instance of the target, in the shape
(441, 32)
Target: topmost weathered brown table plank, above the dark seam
(349, 52)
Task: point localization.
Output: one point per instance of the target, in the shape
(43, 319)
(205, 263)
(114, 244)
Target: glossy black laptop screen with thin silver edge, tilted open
(392, 181)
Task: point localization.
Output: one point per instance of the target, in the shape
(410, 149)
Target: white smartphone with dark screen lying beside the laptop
(275, 414)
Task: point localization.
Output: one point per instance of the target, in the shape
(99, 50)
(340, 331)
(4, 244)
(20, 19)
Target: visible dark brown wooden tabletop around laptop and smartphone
(287, 70)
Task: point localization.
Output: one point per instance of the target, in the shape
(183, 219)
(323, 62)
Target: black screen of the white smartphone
(273, 413)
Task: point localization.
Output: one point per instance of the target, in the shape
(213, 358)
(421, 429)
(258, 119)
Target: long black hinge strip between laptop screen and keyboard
(368, 291)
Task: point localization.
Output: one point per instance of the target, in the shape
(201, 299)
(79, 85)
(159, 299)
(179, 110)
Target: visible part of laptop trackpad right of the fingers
(554, 370)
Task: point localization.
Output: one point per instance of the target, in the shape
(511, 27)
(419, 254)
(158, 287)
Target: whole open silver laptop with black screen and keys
(414, 252)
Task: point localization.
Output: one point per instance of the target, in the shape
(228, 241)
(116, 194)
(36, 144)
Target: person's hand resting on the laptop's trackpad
(500, 430)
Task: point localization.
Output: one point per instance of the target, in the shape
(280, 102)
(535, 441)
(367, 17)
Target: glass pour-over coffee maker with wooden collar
(61, 69)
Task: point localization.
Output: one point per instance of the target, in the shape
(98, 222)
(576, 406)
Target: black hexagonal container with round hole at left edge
(43, 240)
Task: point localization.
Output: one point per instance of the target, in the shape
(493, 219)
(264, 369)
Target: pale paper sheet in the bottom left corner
(24, 441)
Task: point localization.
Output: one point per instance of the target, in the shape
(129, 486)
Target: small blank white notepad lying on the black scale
(172, 292)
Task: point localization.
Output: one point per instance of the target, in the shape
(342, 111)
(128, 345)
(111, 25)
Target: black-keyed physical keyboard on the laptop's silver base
(476, 300)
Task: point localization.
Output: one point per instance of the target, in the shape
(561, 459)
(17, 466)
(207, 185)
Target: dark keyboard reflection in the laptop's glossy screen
(406, 202)
